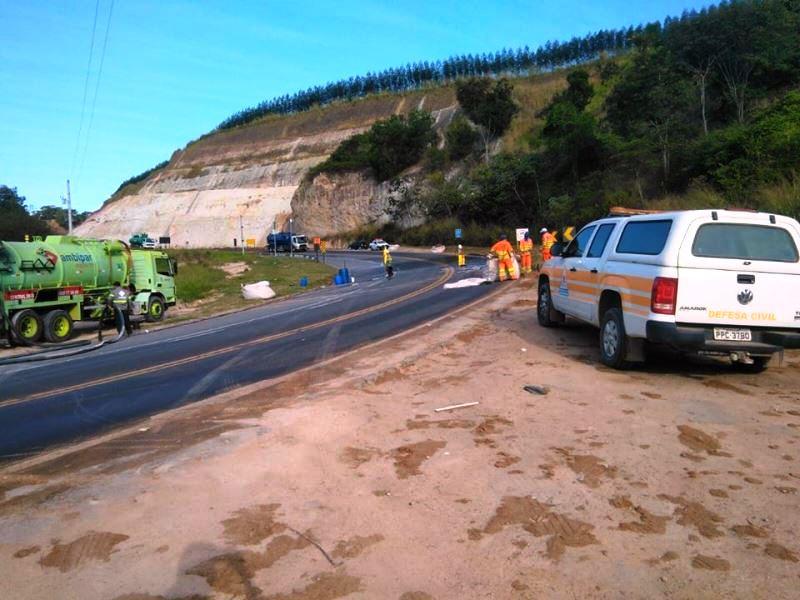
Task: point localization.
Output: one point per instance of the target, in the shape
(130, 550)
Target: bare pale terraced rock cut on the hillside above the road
(254, 172)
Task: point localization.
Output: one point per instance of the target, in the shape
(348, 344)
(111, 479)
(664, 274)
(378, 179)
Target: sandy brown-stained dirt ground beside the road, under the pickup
(675, 480)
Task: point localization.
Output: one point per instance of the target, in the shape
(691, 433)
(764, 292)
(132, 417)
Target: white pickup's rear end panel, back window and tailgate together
(739, 274)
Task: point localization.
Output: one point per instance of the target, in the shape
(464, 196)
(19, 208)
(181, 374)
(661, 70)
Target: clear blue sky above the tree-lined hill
(174, 69)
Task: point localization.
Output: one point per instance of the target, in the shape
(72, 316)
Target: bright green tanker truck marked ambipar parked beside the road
(47, 285)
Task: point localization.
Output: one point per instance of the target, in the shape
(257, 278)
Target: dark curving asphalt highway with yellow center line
(68, 399)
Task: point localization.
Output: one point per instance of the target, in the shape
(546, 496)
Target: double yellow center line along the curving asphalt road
(211, 353)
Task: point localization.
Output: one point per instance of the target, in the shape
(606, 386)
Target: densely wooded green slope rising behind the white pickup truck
(703, 111)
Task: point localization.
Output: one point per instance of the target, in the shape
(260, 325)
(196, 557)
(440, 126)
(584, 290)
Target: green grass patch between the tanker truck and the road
(203, 281)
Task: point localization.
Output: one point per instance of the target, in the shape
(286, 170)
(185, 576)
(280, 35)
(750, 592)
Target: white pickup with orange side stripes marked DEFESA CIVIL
(714, 282)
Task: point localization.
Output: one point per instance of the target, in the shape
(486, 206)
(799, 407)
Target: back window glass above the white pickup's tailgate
(744, 242)
